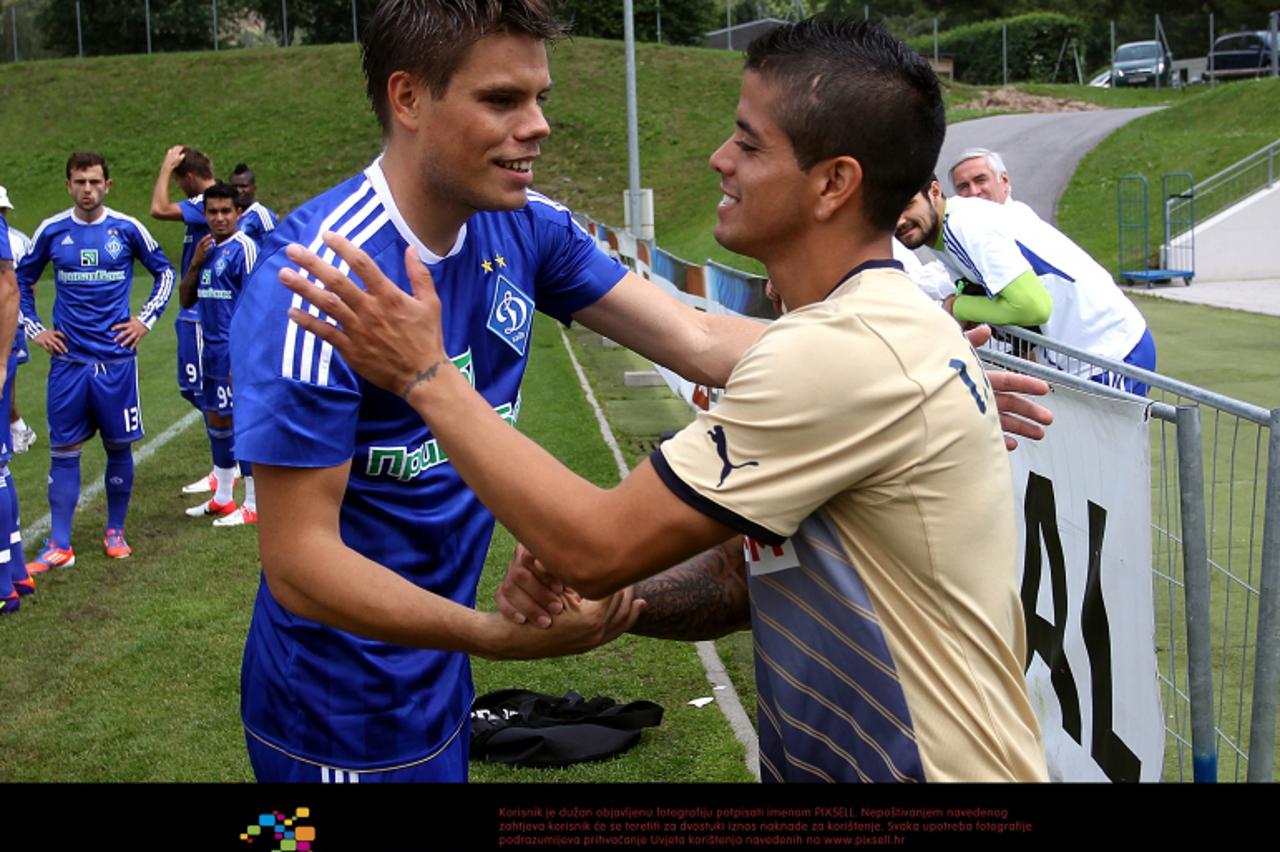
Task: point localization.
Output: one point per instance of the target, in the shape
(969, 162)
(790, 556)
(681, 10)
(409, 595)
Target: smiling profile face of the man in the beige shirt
(765, 191)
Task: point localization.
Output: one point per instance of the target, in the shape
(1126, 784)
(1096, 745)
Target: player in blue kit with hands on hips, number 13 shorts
(93, 347)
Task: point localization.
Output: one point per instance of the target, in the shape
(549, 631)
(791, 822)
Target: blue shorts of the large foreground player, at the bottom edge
(275, 767)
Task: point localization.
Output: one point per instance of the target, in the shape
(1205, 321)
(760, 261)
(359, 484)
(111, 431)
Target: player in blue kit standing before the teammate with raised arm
(220, 268)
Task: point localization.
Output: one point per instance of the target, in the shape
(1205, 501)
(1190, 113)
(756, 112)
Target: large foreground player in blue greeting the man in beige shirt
(355, 667)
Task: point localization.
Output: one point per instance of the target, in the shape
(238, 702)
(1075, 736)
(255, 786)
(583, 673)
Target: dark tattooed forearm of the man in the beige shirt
(705, 598)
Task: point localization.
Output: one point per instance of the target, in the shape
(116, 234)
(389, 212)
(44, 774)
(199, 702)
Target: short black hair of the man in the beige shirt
(849, 89)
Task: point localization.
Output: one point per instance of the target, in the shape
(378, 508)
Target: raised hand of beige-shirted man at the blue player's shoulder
(391, 338)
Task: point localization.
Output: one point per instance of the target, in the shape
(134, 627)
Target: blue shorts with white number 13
(86, 398)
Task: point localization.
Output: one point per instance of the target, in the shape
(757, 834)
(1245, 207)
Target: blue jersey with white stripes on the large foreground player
(322, 694)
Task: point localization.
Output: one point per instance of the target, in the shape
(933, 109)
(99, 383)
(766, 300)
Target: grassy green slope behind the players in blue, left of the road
(301, 120)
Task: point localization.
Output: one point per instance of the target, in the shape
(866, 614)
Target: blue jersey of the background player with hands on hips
(94, 274)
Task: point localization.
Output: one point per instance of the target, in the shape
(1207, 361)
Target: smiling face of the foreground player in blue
(477, 145)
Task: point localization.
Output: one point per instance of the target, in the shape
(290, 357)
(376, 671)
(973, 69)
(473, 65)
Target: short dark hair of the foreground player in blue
(431, 38)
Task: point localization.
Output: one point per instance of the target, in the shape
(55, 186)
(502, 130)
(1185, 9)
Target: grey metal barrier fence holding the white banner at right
(1215, 562)
